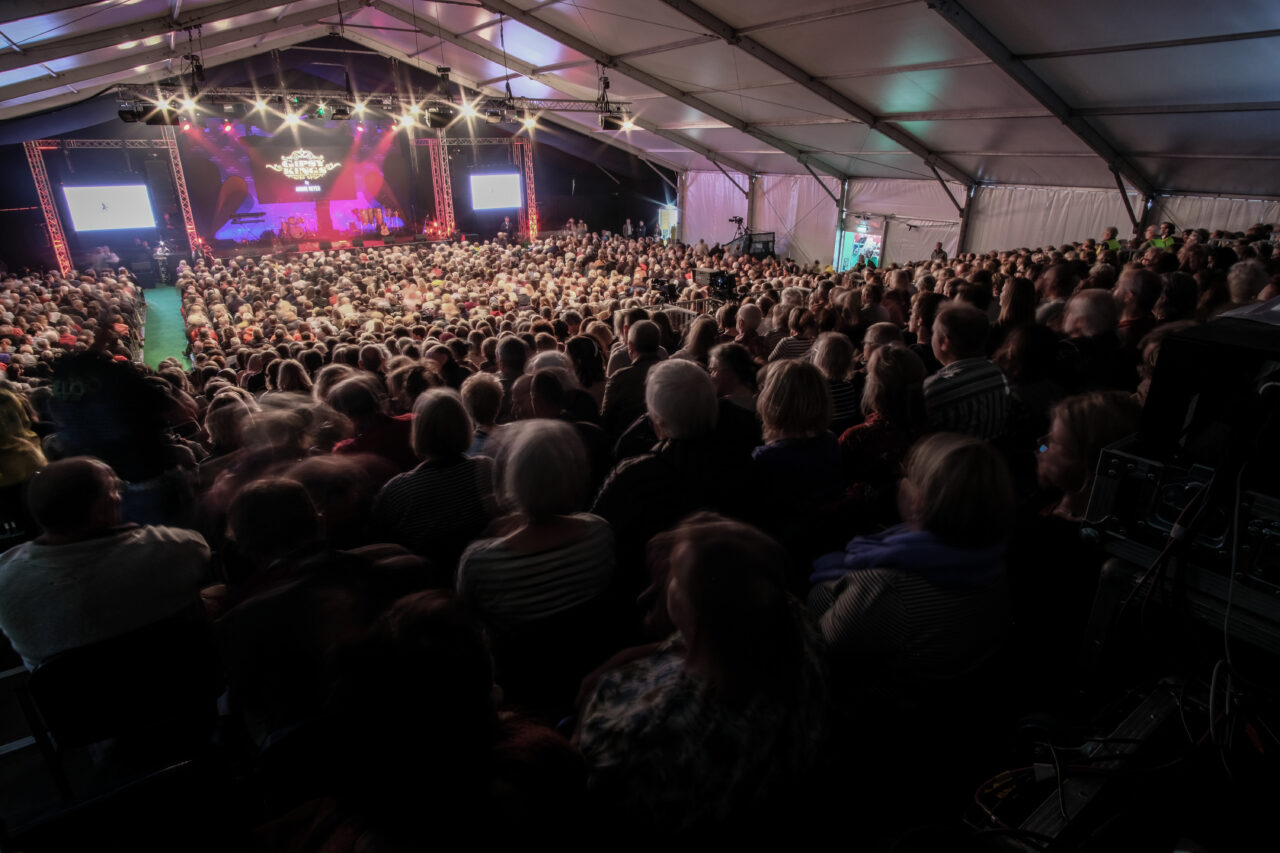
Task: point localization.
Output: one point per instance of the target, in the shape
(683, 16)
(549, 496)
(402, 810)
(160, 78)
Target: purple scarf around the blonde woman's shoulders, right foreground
(916, 551)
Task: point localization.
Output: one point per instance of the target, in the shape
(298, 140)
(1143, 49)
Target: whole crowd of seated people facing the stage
(496, 530)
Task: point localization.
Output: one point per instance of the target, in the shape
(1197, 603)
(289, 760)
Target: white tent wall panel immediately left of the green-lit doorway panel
(801, 215)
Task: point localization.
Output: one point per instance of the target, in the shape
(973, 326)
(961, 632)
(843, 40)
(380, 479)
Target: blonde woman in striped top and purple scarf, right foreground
(924, 604)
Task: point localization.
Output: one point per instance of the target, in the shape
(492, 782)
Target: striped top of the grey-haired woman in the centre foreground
(510, 587)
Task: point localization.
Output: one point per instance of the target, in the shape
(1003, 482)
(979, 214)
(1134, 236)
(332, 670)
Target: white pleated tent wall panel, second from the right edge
(1027, 217)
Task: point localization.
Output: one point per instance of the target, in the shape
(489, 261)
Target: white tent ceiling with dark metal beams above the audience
(1174, 98)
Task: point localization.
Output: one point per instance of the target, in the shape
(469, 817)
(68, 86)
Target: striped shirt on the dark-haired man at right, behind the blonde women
(968, 396)
